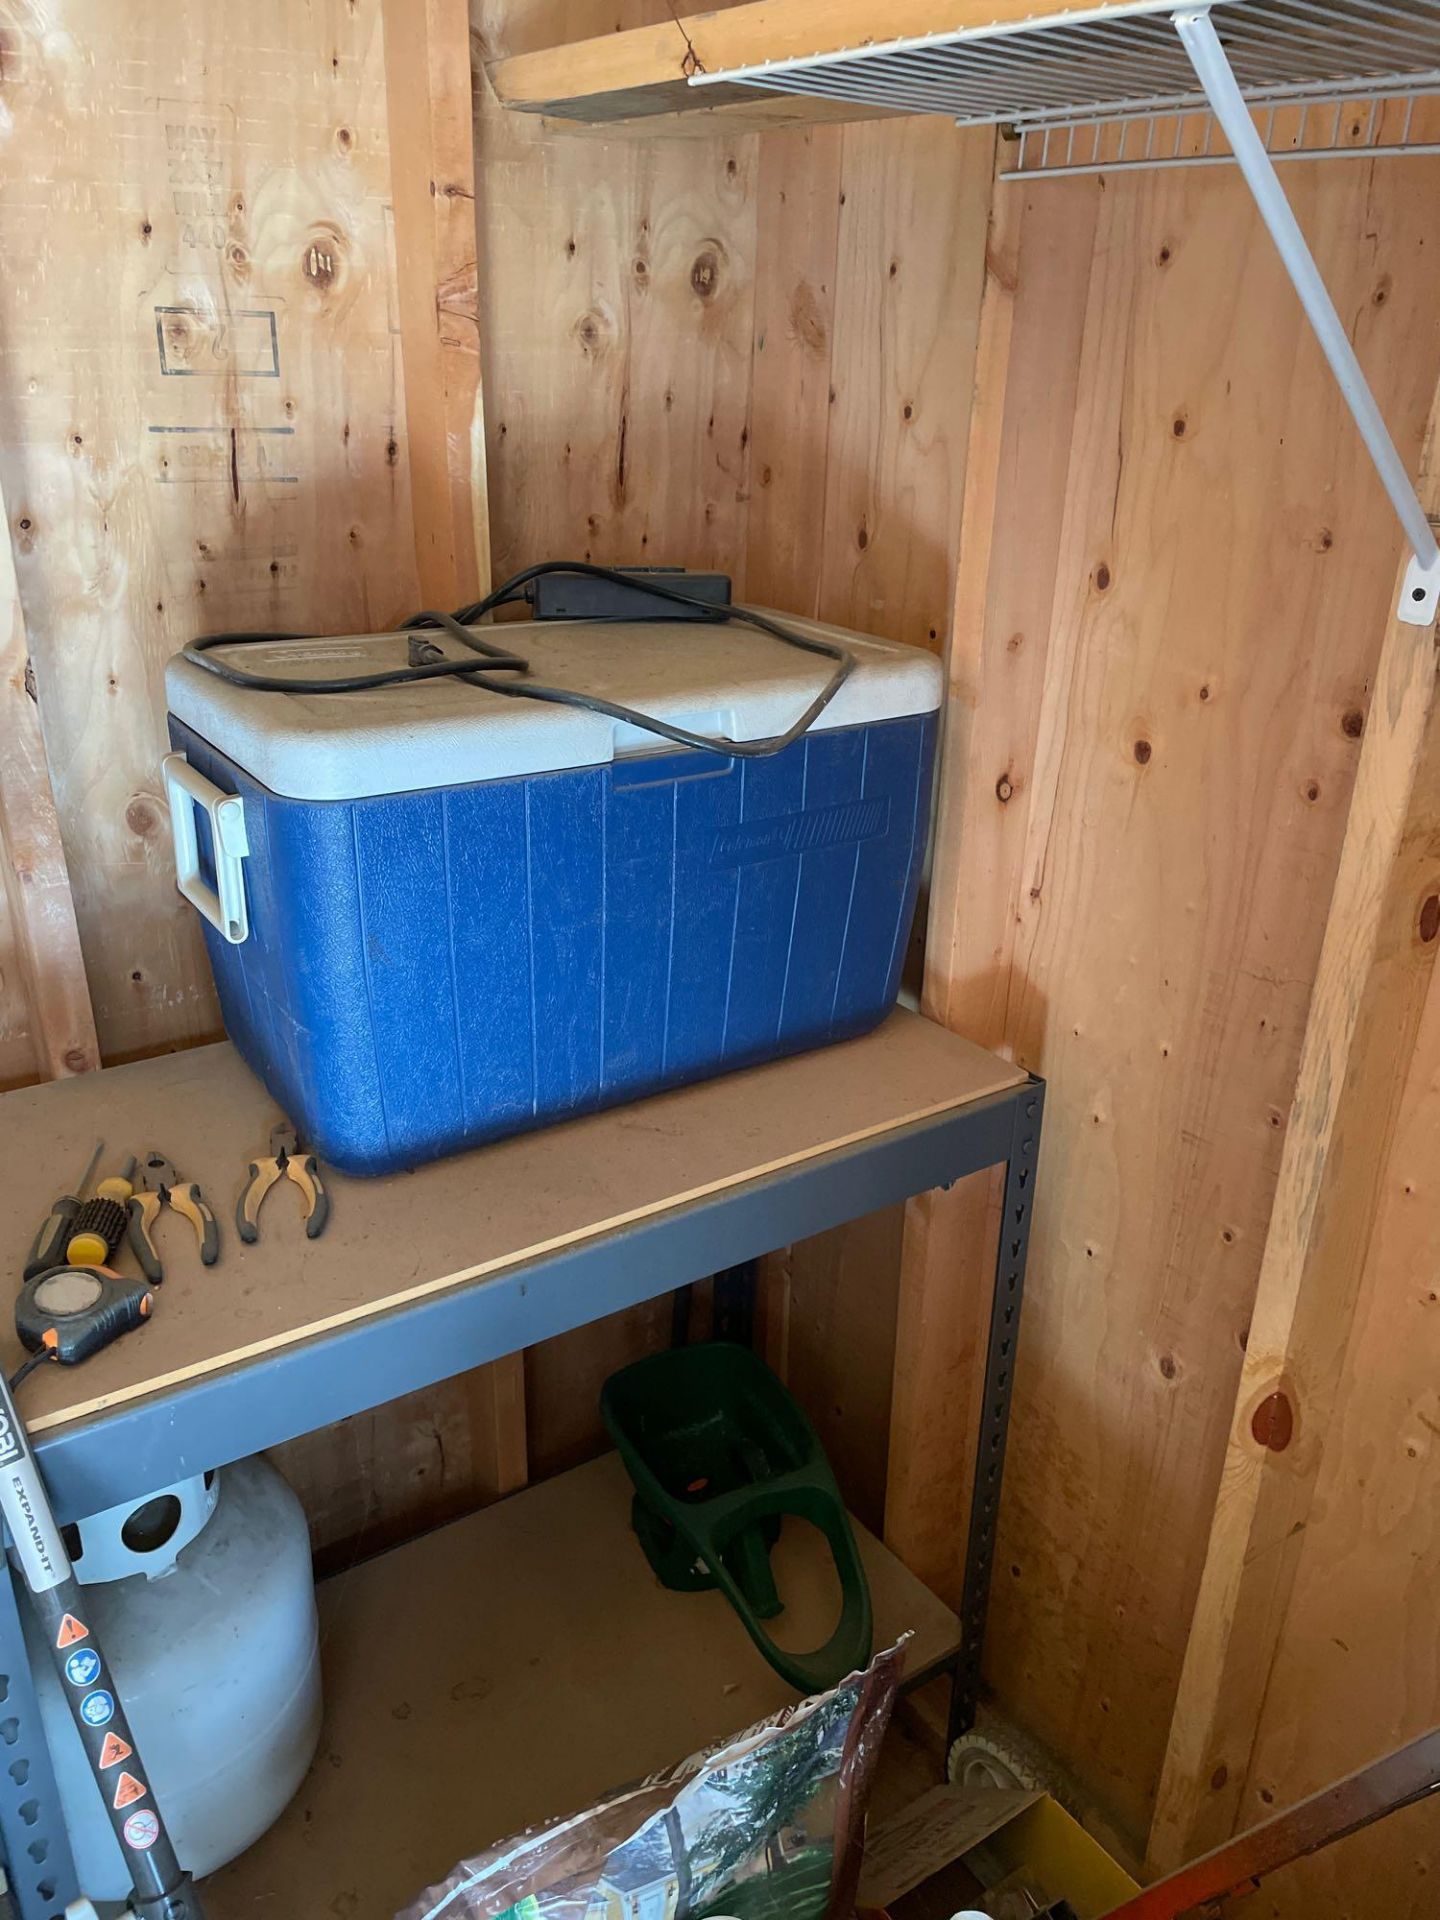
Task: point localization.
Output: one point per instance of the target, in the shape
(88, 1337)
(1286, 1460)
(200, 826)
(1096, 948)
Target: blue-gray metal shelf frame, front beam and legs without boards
(135, 1449)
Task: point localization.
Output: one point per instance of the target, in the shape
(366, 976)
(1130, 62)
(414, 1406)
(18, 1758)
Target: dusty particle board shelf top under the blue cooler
(458, 1222)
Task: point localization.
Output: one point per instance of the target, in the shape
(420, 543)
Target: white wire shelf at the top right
(1063, 64)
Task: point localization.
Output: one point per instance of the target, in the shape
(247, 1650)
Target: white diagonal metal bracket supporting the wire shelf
(1228, 103)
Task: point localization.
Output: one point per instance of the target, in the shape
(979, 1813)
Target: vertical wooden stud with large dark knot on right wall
(1364, 1017)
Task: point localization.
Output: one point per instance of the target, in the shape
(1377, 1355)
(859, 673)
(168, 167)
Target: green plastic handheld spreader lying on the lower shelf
(719, 1452)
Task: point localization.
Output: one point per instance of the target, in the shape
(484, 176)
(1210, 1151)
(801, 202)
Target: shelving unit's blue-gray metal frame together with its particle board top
(953, 1111)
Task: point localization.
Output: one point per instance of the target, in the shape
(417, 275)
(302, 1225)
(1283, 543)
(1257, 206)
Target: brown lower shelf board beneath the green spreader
(514, 1668)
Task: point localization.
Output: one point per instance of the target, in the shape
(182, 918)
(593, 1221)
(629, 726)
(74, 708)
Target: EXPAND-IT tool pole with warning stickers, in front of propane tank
(162, 1888)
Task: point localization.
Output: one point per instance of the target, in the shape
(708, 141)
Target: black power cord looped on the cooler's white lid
(498, 661)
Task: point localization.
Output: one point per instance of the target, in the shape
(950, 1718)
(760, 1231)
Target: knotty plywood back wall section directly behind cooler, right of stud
(744, 352)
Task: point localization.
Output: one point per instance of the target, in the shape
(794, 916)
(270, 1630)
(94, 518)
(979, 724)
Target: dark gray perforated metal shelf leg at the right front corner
(996, 1404)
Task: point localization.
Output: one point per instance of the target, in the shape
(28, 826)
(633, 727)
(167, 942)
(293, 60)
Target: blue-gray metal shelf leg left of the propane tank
(39, 1863)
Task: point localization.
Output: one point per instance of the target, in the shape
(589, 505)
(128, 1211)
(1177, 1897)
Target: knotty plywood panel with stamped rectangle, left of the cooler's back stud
(201, 408)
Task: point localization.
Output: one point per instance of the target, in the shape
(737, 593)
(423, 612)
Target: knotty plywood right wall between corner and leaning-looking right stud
(1184, 604)
